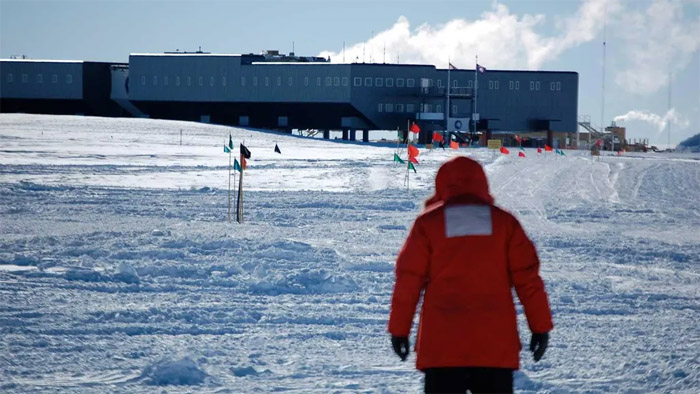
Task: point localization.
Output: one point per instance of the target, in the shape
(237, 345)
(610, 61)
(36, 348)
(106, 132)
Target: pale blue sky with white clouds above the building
(647, 41)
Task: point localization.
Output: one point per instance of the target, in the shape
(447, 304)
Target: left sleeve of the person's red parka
(411, 274)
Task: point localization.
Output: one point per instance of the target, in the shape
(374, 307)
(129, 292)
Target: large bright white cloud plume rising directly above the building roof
(500, 38)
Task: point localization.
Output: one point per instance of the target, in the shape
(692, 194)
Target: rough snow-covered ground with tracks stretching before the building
(120, 273)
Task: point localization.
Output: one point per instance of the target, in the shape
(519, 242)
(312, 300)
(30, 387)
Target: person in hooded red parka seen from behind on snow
(465, 255)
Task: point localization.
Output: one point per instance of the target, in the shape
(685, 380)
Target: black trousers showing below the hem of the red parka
(474, 379)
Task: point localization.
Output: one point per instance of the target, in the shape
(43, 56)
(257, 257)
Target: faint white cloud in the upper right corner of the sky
(654, 42)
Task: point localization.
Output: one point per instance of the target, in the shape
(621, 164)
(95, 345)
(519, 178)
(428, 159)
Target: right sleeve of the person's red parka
(524, 267)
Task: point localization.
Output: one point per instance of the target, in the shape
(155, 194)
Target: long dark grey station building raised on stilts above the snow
(299, 93)
